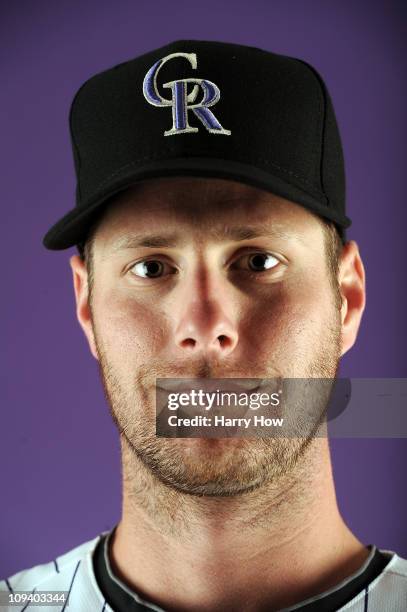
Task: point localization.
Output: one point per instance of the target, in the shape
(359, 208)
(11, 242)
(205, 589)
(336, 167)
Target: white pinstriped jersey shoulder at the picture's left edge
(71, 571)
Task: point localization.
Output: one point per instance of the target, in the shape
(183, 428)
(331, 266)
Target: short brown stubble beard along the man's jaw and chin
(205, 467)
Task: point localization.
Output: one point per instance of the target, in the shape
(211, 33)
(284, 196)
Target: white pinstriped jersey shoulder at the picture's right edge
(387, 592)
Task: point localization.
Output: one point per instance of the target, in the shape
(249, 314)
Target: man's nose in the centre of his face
(205, 327)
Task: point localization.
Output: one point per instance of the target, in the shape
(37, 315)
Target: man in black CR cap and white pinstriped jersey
(210, 223)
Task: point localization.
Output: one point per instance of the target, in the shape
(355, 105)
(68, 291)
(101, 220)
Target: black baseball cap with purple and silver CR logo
(205, 109)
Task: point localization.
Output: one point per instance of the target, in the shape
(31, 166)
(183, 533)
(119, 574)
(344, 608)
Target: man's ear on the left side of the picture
(83, 312)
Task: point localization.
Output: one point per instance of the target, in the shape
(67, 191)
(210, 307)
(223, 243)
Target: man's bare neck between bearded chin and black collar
(271, 547)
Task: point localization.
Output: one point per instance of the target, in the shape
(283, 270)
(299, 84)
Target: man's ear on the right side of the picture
(351, 280)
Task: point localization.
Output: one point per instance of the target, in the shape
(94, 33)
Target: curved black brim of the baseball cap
(72, 229)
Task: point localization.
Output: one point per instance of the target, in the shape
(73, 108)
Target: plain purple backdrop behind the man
(59, 450)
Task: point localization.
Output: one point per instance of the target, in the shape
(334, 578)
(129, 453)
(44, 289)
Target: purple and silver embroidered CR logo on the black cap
(181, 101)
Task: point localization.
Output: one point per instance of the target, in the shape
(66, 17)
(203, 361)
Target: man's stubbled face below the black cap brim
(209, 278)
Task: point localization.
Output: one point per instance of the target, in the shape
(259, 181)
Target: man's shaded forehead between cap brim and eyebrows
(201, 205)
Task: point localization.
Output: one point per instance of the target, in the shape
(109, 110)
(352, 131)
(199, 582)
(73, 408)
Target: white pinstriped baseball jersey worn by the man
(73, 572)
